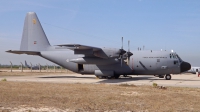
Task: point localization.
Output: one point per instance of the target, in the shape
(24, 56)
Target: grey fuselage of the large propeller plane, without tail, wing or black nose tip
(141, 62)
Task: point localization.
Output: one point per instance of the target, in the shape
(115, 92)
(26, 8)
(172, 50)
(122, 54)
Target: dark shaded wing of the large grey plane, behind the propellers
(88, 51)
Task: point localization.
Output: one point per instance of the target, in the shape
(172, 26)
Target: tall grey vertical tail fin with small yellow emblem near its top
(33, 37)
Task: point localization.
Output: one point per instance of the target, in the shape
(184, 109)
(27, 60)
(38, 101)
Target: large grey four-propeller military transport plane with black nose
(102, 62)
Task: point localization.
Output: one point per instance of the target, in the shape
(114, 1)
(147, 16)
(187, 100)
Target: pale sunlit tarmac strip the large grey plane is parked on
(182, 80)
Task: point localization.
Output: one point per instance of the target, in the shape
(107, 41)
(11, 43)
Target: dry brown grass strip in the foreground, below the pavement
(97, 97)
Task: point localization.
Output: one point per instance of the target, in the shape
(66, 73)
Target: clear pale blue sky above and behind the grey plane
(155, 24)
